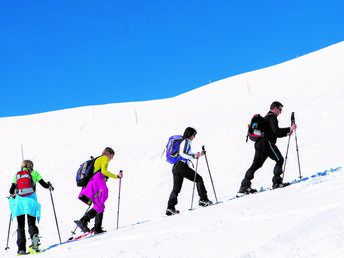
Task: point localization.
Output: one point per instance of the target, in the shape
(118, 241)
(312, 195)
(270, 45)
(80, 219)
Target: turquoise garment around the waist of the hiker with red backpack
(25, 205)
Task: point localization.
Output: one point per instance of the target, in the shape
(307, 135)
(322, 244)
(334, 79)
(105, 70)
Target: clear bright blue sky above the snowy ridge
(69, 53)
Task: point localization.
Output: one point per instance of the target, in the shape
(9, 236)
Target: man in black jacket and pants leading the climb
(266, 147)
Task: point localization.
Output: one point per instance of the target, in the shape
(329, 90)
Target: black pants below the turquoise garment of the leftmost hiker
(33, 229)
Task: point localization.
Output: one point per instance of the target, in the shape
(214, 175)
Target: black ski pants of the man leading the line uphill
(263, 150)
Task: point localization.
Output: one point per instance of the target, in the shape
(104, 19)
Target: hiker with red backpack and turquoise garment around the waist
(24, 201)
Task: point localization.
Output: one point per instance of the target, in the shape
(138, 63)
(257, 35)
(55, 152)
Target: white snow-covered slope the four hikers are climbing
(303, 220)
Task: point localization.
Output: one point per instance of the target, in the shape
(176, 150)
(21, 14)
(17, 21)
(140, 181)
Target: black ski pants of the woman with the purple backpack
(180, 171)
